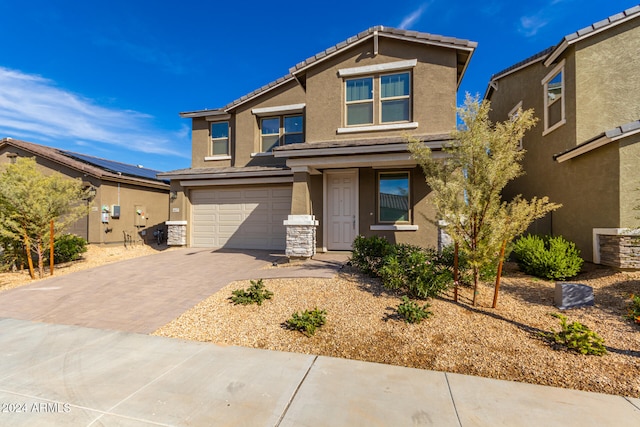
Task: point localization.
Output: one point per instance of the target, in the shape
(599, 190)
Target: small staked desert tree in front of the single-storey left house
(30, 200)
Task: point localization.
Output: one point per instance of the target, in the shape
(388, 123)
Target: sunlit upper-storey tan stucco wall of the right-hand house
(608, 86)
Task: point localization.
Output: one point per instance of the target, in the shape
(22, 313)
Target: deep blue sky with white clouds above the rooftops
(109, 78)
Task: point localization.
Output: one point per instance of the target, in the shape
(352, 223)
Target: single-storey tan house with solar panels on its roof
(126, 200)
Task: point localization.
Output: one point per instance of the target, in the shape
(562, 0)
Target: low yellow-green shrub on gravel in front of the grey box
(576, 336)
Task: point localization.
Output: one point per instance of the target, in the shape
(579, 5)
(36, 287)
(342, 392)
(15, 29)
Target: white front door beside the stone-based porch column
(342, 209)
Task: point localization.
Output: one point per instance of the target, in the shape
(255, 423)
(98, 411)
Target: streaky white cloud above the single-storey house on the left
(34, 108)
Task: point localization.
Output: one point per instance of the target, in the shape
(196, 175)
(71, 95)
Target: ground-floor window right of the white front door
(393, 197)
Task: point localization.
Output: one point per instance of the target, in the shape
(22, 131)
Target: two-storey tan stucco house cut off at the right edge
(585, 150)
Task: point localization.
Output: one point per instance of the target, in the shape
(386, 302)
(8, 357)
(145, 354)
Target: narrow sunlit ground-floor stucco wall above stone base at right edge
(630, 182)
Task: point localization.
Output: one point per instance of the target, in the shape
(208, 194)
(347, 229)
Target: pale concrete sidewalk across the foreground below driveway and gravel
(74, 376)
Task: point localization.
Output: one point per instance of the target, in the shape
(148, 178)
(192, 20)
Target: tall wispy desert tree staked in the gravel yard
(479, 161)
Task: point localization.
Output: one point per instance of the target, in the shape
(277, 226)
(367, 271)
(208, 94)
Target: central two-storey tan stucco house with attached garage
(320, 155)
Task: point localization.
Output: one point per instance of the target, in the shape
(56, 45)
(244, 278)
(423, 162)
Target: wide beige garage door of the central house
(245, 218)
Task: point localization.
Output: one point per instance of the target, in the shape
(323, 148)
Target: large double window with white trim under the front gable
(379, 99)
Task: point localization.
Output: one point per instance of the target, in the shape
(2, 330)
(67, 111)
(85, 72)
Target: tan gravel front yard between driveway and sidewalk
(500, 343)
